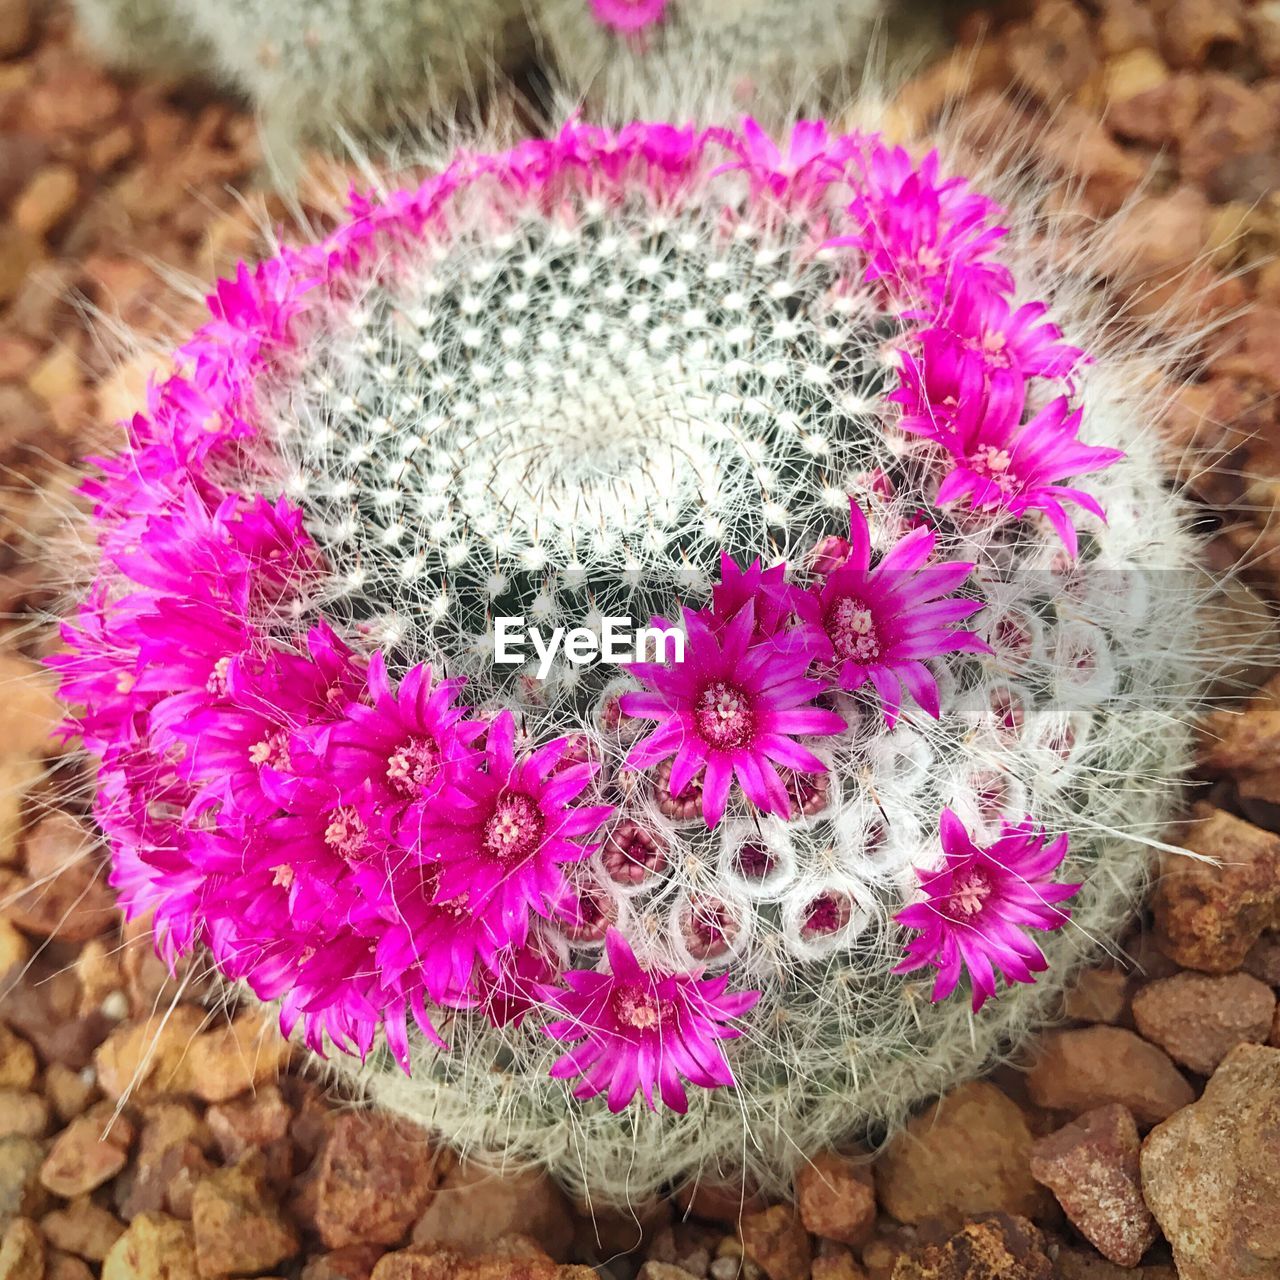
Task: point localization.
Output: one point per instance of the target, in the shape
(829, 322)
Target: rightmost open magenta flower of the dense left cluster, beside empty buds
(504, 836)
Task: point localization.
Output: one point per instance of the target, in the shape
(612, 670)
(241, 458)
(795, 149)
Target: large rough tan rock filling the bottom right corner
(1212, 1173)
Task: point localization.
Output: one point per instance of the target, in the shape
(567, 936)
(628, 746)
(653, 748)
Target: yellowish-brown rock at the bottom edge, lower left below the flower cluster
(239, 1228)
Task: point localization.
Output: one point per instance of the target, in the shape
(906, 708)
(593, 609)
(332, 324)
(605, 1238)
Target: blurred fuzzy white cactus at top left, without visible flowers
(316, 68)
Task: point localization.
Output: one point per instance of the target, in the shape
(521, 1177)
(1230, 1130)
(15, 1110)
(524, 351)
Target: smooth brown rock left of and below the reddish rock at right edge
(1077, 1071)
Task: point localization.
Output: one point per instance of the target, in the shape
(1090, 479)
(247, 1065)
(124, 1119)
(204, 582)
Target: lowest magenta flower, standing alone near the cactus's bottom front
(634, 1030)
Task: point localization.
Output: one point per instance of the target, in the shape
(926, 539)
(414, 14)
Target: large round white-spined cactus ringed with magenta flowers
(839, 450)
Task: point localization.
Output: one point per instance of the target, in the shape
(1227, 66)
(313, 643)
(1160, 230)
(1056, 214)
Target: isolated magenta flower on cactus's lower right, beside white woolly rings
(979, 906)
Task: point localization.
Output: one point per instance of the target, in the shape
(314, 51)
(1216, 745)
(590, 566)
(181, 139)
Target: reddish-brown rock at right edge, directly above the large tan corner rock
(1199, 1020)
